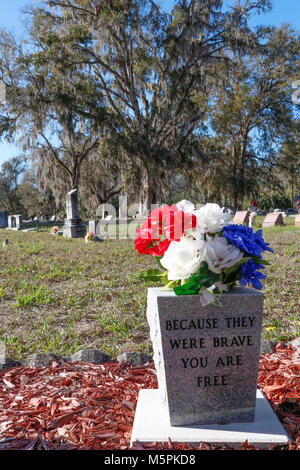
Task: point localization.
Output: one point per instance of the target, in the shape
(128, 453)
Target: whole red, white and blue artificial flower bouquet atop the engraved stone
(200, 251)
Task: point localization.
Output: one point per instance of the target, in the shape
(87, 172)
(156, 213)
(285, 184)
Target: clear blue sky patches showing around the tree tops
(284, 11)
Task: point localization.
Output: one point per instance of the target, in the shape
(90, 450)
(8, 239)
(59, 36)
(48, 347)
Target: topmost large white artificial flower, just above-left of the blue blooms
(211, 218)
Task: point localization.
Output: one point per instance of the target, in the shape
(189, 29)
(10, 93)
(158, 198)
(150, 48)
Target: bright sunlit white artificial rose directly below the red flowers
(183, 258)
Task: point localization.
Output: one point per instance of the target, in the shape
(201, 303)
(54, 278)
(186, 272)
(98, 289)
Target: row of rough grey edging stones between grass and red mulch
(94, 356)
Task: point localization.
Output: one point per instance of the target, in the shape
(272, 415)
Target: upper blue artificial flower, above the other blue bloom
(246, 240)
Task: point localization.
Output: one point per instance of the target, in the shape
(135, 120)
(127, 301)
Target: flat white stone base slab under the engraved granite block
(151, 424)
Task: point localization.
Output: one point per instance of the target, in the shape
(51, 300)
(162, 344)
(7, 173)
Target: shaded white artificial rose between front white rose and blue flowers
(220, 254)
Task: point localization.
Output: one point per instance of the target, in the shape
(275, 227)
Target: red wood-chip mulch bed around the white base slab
(91, 407)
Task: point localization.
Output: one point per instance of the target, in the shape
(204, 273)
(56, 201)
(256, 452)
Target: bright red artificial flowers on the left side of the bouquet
(165, 223)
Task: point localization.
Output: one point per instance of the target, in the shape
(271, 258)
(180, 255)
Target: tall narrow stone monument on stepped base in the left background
(73, 228)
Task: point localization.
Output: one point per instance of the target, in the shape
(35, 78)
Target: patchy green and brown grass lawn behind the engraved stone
(61, 295)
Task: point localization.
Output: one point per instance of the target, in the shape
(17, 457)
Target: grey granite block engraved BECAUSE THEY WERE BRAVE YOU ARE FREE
(206, 357)
